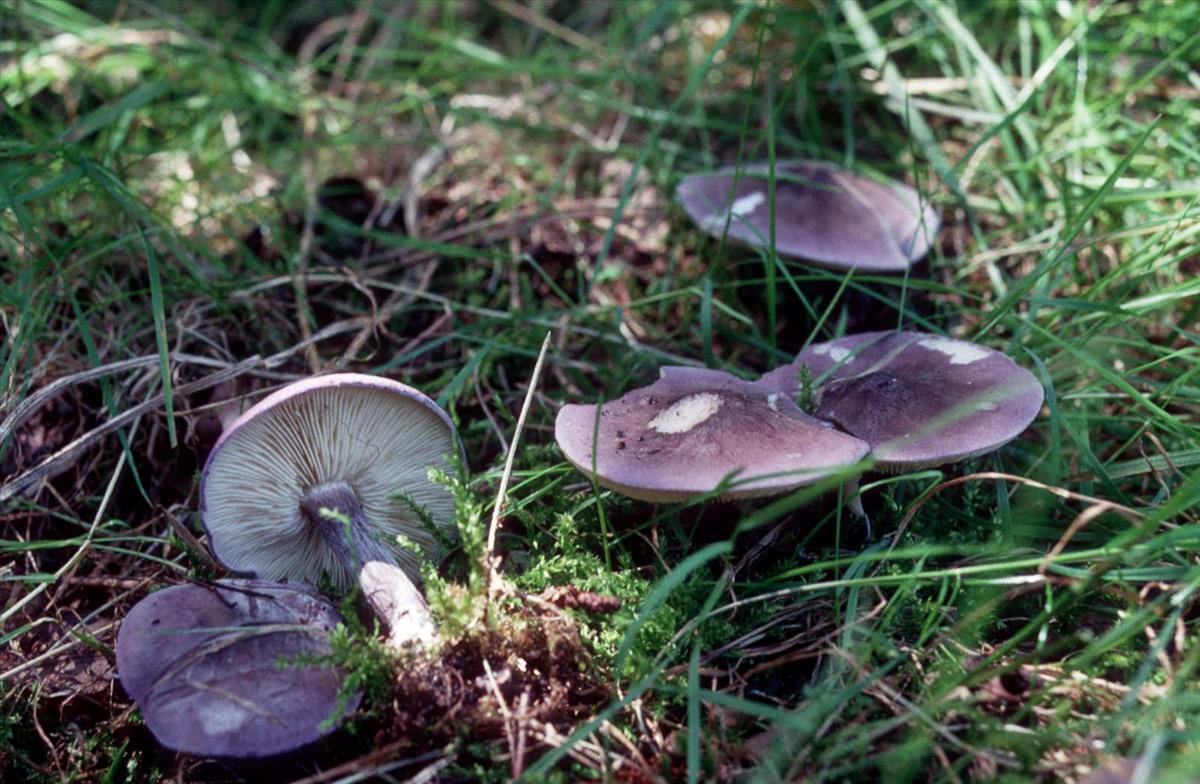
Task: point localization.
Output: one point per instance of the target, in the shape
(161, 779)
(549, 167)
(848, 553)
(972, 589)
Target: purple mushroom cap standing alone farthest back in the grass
(824, 214)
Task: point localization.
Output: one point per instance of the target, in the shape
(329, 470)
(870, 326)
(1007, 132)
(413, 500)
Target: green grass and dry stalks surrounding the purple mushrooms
(141, 146)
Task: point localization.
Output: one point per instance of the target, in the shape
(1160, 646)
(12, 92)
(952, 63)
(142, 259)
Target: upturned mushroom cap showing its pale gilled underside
(305, 483)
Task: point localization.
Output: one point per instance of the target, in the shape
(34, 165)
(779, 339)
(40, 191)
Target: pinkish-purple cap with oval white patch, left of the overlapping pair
(697, 430)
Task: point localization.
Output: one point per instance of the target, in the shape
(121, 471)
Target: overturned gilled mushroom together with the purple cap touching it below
(326, 480)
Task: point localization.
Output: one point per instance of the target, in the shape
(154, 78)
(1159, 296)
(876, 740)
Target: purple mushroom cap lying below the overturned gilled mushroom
(203, 662)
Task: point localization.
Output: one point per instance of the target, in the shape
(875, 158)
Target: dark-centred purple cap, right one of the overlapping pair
(917, 399)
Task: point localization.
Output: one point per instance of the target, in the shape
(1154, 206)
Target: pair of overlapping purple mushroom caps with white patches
(909, 400)
